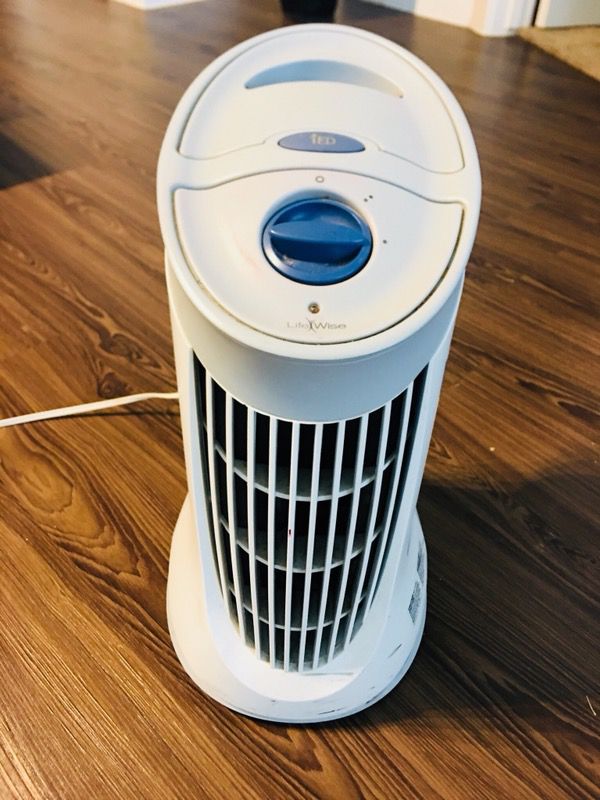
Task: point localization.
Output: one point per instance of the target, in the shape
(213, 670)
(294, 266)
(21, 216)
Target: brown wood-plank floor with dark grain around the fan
(503, 698)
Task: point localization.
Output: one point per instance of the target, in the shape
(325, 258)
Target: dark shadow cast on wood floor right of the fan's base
(512, 603)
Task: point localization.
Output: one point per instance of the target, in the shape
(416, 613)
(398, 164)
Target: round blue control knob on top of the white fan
(317, 241)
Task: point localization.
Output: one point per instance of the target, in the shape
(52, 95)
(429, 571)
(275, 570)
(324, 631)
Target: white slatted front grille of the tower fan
(300, 516)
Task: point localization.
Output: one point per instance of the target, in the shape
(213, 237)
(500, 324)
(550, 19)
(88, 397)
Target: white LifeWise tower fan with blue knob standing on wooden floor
(318, 193)
